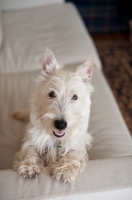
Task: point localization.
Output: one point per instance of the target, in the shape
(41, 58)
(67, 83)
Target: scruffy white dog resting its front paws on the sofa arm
(57, 133)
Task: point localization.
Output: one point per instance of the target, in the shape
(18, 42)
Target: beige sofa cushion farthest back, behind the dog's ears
(29, 32)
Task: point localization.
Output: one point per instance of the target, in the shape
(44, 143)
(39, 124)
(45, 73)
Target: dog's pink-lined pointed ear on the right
(86, 70)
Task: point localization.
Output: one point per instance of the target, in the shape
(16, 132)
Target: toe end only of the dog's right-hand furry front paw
(64, 174)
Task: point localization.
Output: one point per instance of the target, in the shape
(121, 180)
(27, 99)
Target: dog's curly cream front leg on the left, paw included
(28, 163)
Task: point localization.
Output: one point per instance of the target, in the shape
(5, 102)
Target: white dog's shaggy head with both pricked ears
(61, 102)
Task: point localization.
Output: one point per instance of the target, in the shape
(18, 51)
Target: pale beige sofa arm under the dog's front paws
(100, 176)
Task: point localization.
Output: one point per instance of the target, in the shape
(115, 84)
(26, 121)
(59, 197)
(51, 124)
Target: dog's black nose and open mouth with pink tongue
(60, 126)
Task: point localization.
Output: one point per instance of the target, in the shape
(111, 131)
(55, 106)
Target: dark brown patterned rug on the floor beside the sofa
(116, 57)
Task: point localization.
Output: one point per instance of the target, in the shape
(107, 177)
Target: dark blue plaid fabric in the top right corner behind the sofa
(105, 16)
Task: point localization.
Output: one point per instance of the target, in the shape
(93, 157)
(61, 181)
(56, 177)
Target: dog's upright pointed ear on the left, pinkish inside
(50, 63)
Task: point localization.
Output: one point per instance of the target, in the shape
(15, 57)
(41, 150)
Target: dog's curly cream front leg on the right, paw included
(68, 167)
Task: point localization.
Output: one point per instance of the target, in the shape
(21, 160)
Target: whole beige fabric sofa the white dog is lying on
(26, 35)
